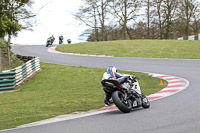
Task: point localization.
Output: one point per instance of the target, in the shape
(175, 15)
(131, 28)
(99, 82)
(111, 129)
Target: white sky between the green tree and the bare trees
(54, 19)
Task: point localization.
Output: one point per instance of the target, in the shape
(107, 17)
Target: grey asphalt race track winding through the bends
(179, 113)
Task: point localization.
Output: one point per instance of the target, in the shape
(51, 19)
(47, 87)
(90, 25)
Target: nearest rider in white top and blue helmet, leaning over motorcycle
(112, 73)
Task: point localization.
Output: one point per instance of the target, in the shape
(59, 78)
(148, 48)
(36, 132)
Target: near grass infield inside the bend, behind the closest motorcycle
(58, 90)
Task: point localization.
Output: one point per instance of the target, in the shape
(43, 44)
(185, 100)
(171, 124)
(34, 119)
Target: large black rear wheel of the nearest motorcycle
(122, 105)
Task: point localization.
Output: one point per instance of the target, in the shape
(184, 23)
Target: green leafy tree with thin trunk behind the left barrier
(13, 12)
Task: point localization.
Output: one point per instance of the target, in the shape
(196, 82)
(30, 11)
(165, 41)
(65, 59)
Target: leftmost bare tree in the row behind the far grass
(93, 14)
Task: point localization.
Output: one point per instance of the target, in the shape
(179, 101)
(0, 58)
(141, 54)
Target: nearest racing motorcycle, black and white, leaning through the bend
(125, 95)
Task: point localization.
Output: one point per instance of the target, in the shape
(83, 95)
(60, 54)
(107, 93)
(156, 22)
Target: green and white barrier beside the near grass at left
(9, 79)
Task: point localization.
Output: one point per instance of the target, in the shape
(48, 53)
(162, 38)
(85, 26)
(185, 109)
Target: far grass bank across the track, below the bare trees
(181, 49)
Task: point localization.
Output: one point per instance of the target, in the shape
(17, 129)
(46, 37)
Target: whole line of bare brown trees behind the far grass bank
(163, 19)
